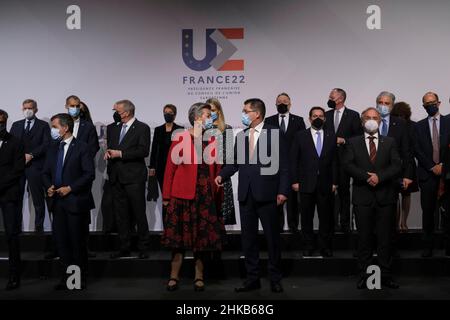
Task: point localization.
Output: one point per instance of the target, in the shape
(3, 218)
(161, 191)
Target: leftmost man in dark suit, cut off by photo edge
(12, 169)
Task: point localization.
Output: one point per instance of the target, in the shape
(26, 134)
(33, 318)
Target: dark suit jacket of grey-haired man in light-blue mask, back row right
(398, 129)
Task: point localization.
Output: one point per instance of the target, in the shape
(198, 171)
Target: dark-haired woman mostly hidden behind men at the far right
(403, 110)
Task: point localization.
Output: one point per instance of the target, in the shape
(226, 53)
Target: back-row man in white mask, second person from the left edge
(35, 137)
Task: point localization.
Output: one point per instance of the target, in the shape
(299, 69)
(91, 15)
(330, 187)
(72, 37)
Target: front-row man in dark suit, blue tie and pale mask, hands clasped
(68, 175)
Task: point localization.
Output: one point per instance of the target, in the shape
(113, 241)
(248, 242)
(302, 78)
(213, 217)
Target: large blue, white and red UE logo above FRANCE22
(214, 38)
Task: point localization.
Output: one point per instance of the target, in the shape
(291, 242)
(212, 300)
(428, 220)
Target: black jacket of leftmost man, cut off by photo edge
(12, 167)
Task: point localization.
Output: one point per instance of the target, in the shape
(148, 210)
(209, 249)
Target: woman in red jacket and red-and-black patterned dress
(192, 220)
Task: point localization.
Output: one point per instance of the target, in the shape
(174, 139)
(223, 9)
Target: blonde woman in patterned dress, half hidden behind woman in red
(227, 203)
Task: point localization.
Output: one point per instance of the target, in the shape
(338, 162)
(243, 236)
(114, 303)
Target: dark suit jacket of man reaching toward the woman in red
(263, 187)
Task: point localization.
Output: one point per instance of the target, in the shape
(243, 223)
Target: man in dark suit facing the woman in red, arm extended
(261, 160)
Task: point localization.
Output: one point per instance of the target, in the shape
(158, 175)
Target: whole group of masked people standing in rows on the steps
(377, 150)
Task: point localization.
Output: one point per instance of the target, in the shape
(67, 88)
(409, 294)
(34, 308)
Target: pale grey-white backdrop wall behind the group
(133, 49)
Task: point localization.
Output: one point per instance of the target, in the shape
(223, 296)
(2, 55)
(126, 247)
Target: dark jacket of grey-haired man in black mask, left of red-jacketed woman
(135, 148)
